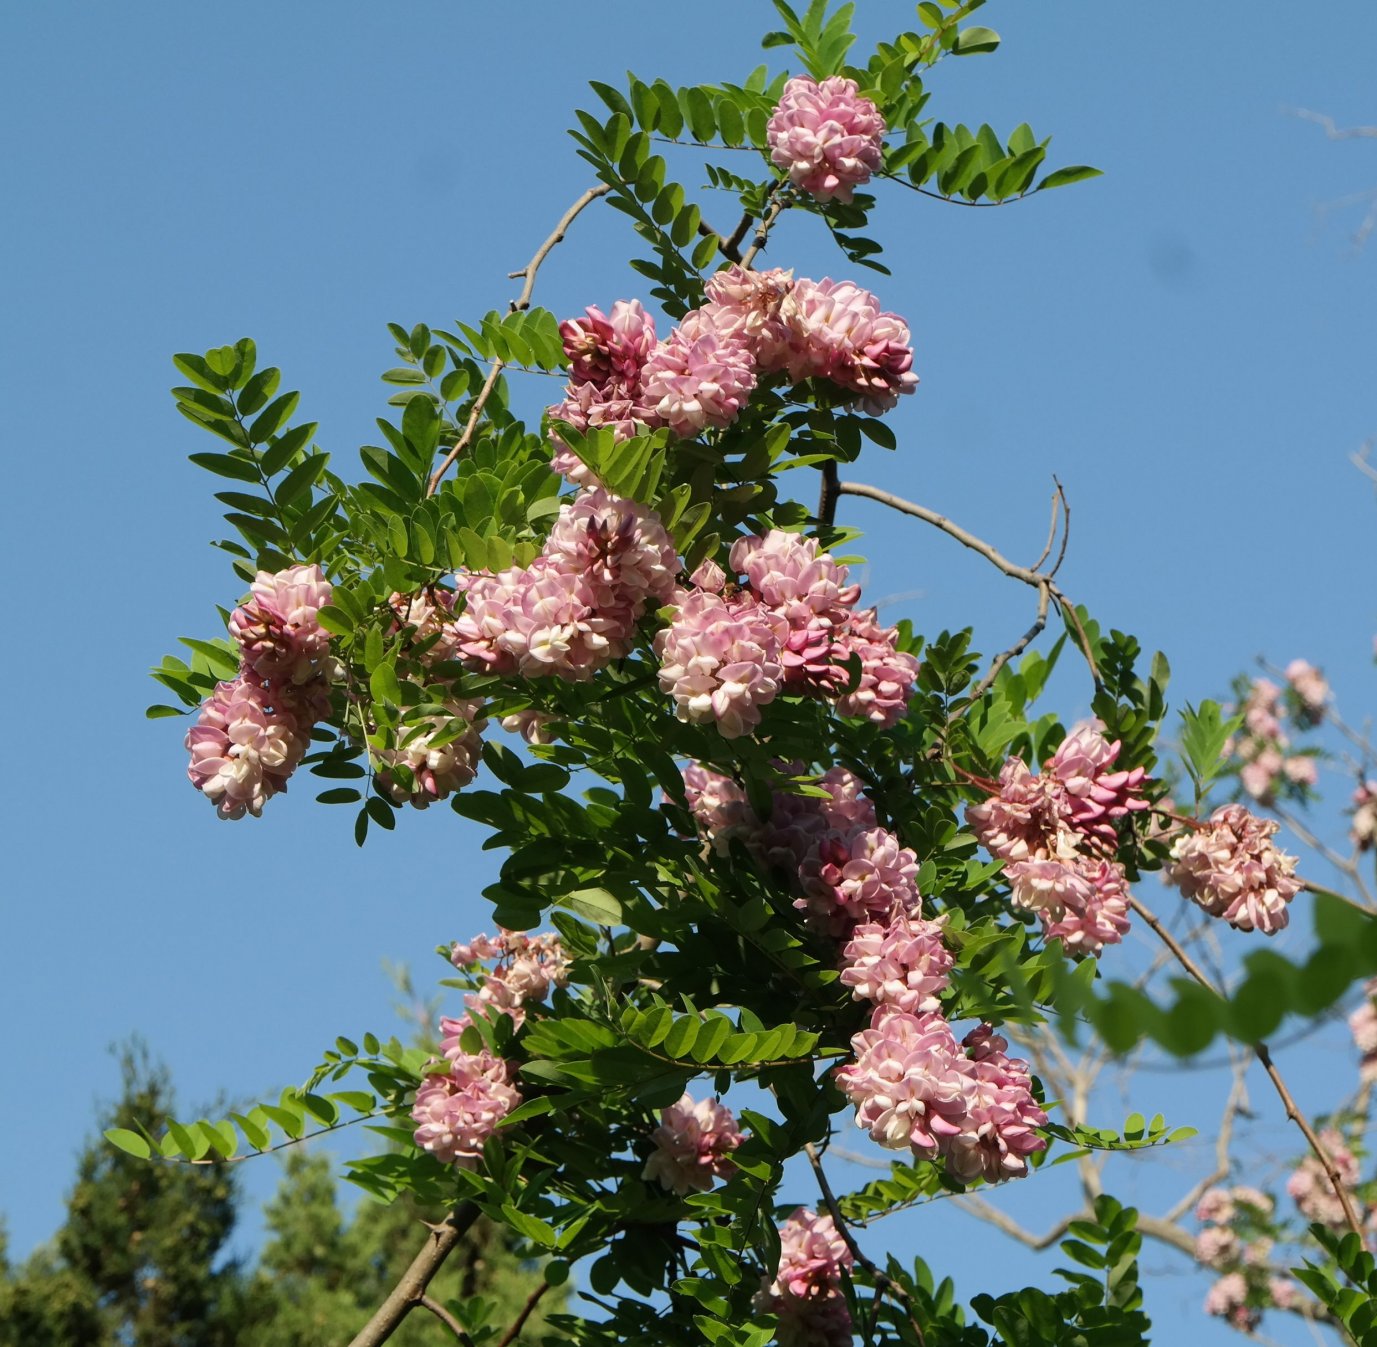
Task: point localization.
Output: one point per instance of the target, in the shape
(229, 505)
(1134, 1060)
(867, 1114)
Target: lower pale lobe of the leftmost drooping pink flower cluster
(243, 749)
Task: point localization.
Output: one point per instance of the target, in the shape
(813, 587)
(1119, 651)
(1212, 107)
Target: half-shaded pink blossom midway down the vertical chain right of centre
(856, 877)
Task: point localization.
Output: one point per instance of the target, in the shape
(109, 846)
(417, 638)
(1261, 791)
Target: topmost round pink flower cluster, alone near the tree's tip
(827, 137)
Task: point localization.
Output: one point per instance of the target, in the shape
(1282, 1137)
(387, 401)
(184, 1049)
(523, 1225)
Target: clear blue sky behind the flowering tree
(1182, 342)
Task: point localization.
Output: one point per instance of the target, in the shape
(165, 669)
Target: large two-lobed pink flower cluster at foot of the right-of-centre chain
(914, 1086)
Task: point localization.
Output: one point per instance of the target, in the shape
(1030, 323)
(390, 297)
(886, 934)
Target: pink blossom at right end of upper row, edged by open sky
(839, 333)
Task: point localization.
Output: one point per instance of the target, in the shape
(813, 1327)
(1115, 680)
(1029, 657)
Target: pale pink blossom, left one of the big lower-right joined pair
(908, 1082)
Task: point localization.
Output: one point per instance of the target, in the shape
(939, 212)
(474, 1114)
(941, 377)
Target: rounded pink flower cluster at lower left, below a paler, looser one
(459, 1108)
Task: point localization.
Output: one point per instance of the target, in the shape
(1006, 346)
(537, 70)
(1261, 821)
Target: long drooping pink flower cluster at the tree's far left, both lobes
(254, 731)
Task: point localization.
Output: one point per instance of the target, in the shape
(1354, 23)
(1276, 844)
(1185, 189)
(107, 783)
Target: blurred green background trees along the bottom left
(140, 1260)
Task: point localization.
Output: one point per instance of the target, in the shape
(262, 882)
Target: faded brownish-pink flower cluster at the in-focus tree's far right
(1233, 871)
